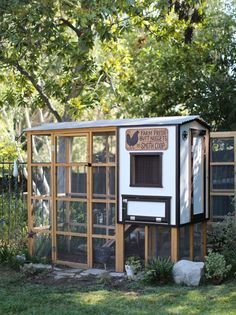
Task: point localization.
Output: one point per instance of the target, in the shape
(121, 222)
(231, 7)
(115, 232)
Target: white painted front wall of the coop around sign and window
(168, 172)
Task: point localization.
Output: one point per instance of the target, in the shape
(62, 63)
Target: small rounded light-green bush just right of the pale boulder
(215, 267)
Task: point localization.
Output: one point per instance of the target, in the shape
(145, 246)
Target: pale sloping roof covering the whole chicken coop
(154, 121)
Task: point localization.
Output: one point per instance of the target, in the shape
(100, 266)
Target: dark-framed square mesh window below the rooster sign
(146, 170)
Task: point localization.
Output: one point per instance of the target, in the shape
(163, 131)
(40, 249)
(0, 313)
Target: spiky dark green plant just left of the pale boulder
(158, 271)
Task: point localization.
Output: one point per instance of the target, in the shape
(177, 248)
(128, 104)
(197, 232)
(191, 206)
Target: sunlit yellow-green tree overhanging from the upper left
(47, 46)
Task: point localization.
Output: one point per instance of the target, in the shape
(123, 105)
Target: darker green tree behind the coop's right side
(172, 77)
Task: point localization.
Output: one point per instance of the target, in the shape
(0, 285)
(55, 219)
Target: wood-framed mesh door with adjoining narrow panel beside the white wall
(85, 201)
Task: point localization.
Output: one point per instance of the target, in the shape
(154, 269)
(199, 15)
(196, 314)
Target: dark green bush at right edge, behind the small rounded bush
(222, 239)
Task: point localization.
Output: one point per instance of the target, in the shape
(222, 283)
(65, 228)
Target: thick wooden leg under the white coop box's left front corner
(120, 248)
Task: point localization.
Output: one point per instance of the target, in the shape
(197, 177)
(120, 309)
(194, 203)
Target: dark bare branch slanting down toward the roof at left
(39, 90)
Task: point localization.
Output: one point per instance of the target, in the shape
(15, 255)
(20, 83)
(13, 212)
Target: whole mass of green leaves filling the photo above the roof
(129, 57)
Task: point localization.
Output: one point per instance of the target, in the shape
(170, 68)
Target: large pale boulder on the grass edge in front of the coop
(188, 272)
